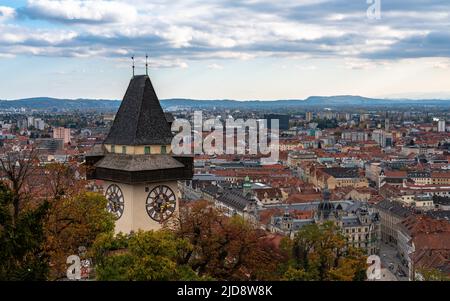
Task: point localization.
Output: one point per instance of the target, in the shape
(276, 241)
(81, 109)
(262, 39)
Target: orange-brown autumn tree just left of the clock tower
(75, 217)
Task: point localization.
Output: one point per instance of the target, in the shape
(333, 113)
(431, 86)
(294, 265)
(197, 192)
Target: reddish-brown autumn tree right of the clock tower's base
(224, 248)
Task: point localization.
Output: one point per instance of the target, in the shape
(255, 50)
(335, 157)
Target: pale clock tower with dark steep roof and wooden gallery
(138, 170)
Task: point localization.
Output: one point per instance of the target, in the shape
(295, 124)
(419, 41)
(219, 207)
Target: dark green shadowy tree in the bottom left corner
(22, 255)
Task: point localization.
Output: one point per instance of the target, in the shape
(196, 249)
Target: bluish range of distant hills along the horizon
(47, 103)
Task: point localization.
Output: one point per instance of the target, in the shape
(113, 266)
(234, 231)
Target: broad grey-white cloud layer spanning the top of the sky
(186, 30)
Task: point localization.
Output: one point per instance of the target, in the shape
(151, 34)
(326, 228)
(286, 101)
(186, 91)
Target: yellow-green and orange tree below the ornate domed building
(319, 252)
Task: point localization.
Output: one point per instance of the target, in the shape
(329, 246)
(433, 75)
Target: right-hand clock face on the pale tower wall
(161, 203)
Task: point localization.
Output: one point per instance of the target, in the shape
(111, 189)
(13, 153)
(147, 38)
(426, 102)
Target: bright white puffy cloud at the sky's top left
(80, 11)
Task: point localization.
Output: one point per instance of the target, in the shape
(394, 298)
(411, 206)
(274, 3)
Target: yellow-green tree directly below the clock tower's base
(141, 256)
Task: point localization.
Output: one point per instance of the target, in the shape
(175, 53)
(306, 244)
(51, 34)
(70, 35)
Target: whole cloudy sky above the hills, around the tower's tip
(226, 49)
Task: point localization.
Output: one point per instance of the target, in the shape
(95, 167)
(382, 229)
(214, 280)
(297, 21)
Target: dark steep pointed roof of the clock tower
(140, 119)
